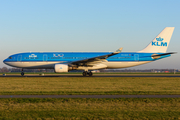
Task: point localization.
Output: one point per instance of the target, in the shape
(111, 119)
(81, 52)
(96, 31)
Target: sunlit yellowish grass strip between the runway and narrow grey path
(89, 85)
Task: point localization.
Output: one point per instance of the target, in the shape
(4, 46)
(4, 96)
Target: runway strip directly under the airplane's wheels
(95, 75)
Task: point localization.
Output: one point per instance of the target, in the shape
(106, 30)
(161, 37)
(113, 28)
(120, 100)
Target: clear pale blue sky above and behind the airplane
(88, 25)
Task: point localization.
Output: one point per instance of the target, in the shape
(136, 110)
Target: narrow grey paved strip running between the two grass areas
(90, 96)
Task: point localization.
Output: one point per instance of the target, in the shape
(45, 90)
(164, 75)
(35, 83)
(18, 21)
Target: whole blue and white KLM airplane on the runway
(89, 61)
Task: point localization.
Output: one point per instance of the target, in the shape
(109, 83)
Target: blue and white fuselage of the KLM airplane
(48, 59)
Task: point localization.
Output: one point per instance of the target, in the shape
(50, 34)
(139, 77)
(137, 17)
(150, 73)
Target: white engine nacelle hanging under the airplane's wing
(58, 68)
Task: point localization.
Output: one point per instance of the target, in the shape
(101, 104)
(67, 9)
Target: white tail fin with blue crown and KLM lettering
(161, 42)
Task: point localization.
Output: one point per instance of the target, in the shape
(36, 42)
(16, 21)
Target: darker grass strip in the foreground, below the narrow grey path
(122, 108)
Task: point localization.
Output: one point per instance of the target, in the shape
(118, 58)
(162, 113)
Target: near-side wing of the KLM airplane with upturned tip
(95, 59)
